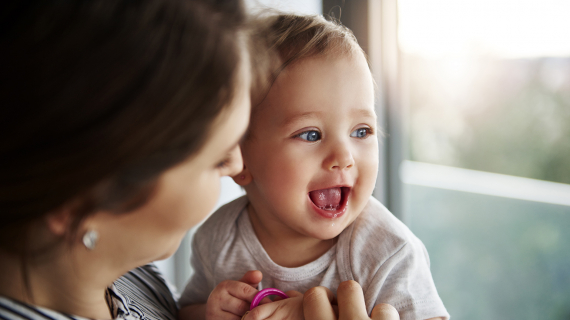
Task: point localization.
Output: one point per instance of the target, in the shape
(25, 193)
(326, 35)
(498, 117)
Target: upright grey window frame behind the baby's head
(375, 25)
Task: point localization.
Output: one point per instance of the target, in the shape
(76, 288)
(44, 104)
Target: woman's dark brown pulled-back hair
(98, 98)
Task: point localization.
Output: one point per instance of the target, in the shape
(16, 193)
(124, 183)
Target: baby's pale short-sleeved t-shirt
(376, 250)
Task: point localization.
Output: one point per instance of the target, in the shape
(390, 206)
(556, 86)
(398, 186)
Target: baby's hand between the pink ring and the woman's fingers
(291, 308)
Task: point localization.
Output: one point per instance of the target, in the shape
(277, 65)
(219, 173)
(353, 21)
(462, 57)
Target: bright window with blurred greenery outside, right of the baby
(485, 85)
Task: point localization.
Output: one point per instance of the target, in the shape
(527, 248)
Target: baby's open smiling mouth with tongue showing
(329, 211)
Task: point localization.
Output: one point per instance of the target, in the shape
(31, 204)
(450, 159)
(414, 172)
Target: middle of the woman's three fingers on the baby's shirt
(351, 301)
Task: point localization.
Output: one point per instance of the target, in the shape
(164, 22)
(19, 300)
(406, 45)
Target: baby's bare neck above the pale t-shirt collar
(287, 249)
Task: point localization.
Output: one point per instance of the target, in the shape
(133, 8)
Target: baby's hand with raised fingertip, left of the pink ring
(231, 299)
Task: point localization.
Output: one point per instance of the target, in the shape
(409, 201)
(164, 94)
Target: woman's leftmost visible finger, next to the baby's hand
(317, 304)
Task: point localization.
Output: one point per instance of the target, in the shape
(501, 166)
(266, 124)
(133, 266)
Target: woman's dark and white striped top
(142, 293)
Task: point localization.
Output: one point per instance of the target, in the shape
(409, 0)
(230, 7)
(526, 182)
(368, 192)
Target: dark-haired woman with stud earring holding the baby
(118, 118)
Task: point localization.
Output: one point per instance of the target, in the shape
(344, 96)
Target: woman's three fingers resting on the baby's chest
(320, 304)
